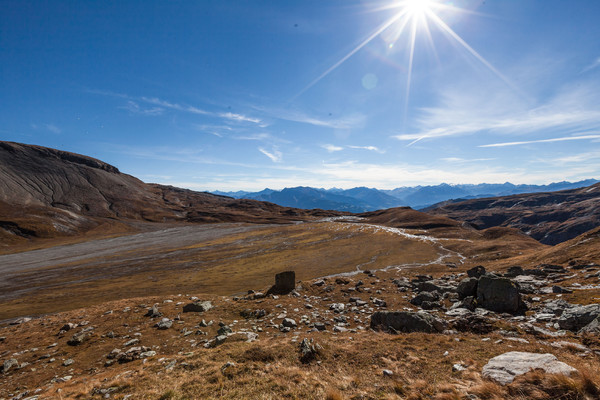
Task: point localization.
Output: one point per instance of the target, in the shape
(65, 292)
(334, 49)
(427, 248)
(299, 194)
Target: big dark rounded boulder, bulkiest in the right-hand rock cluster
(498, 294)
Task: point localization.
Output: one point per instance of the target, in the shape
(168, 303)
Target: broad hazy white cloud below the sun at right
(465, 112)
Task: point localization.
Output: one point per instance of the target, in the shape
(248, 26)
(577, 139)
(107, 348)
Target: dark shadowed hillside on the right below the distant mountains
(550, 218)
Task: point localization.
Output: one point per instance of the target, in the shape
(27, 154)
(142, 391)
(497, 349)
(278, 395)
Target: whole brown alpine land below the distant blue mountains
(114, 288)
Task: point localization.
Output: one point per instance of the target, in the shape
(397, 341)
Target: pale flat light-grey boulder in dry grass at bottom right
(506, 367)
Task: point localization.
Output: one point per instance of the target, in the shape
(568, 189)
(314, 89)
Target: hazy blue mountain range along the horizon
(362, 199)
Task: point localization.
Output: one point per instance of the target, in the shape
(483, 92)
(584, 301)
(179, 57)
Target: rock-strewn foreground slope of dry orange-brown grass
(382, 334)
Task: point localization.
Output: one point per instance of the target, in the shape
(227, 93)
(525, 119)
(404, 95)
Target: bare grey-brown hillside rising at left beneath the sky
(46, 192)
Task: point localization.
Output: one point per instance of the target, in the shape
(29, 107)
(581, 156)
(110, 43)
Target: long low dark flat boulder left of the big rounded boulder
(407, 321)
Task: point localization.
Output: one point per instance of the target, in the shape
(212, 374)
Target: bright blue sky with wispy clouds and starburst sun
(249, 94)
